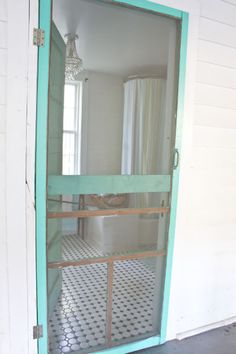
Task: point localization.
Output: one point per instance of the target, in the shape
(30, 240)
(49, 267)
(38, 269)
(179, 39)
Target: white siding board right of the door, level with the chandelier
(217, 54)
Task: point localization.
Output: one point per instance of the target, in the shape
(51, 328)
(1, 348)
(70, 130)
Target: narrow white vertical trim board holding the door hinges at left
(30, 177)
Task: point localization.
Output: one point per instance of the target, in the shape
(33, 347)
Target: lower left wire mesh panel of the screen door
(77, 319)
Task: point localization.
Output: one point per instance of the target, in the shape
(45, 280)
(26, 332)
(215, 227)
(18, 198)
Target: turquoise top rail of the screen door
(149, 5)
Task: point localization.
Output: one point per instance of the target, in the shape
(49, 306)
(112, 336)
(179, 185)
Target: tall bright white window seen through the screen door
(72, 128)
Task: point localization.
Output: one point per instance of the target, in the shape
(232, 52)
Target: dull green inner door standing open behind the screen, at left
(54, 153)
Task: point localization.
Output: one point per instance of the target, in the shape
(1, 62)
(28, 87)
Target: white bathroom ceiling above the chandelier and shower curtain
(113, 39)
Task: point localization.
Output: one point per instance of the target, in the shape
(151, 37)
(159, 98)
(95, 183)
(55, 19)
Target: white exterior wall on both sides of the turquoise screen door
(204, 277)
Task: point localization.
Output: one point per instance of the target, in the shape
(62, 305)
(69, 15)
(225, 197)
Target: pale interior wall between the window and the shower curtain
(104, 126)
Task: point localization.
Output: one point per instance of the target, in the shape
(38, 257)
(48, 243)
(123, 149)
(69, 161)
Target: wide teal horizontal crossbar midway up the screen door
(59, 185)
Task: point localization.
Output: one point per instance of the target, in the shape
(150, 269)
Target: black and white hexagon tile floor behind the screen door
(78, 322)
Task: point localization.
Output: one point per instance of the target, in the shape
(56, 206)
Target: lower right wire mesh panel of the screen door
(137, 299)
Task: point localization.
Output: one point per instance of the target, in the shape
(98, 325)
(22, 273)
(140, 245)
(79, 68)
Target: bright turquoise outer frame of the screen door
(41, 165)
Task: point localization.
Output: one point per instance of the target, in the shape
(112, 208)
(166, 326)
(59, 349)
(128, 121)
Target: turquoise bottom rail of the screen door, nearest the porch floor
(132, 347)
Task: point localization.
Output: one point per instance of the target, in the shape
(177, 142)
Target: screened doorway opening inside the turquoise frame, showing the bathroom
(111, 150)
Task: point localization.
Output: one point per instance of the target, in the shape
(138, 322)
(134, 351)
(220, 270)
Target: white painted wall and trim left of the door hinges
(17, 126)
